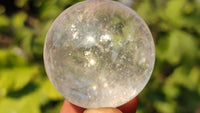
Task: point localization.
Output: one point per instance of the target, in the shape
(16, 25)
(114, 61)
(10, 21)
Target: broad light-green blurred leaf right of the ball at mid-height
(178, 47)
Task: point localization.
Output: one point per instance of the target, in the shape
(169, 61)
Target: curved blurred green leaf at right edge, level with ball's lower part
(181, 77)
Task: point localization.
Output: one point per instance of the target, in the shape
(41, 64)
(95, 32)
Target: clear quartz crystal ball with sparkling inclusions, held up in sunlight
(99, 53)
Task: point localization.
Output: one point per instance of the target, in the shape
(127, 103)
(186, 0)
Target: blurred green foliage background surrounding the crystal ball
(173, 88)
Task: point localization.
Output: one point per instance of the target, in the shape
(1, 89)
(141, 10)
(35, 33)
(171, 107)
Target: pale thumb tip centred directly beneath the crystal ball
(102, 110)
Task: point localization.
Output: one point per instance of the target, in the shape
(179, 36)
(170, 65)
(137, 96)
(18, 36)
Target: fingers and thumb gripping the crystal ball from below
(129, 107)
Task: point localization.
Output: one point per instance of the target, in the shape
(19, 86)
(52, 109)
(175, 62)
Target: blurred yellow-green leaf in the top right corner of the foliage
(182, 13)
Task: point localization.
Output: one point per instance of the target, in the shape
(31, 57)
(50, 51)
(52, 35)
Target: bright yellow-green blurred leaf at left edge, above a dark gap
(16, 78)
